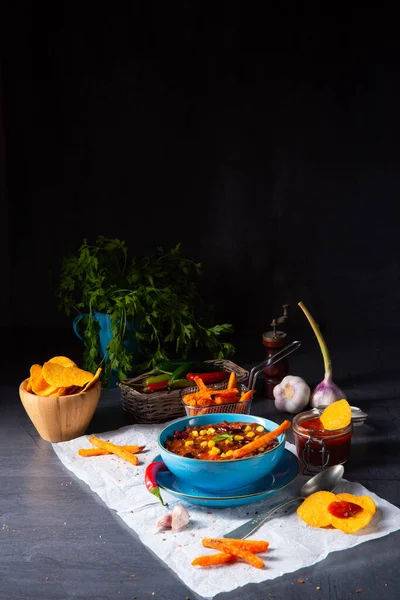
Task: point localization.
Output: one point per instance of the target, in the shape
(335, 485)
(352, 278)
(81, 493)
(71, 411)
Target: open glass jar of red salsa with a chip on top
(317, 447)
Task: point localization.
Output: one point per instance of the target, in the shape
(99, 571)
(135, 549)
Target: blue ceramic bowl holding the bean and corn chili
(220, 475)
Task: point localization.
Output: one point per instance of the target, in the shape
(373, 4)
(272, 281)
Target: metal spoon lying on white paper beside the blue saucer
(326, 480)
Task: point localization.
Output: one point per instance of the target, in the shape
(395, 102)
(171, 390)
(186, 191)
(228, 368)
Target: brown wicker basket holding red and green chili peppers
(163, 406)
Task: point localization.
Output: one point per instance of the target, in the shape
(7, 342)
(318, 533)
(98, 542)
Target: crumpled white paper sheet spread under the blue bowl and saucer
(293, 544)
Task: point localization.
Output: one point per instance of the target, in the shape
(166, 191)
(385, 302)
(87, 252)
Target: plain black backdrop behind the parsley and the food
(265, 140)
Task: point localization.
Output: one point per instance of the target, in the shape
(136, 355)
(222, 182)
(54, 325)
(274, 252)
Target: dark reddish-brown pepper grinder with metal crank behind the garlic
(274, 340)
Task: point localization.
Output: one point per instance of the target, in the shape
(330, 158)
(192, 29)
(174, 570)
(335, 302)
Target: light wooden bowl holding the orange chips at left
(60, 419)
